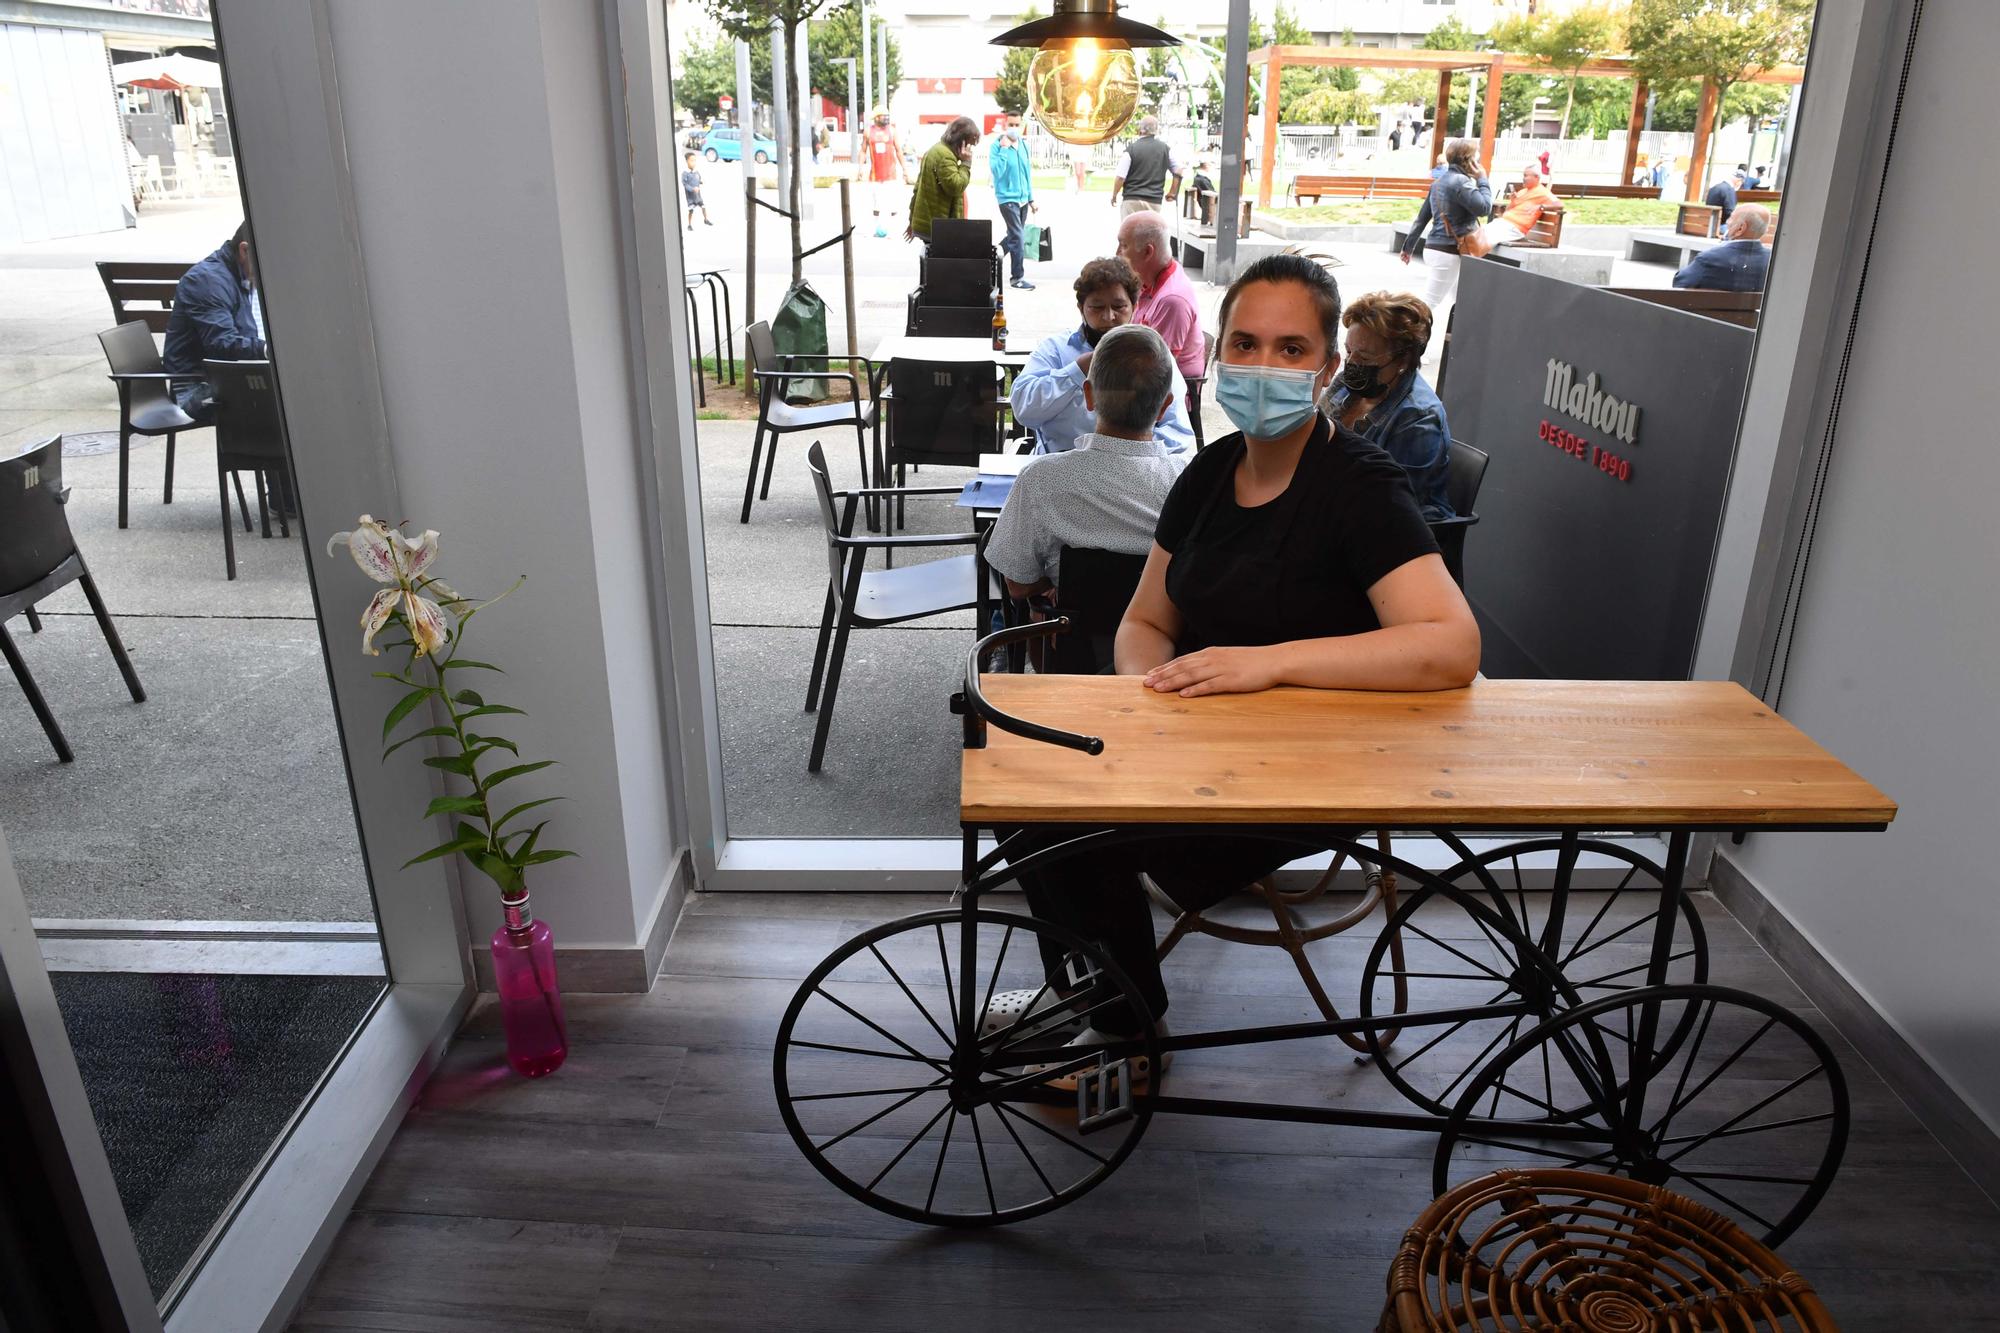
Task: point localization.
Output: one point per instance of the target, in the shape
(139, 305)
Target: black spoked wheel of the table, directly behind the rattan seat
(1747, 1114)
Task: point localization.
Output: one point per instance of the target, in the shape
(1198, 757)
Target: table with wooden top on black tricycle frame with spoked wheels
(1529, 1040)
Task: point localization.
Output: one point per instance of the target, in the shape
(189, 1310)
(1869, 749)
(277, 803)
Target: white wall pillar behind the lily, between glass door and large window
(481, 147)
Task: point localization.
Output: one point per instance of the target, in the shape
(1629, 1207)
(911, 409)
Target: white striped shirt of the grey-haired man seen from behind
(1105, 493)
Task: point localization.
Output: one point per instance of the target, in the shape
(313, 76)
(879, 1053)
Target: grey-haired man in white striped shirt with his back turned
(1105, 493)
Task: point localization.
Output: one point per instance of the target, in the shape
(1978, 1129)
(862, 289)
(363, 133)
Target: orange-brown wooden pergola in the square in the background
(1493, 65)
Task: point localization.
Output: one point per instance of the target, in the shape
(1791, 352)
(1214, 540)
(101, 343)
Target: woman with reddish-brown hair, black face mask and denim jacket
(1381, 395)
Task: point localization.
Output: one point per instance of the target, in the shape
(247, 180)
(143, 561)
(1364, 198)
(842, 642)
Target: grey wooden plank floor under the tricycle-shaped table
(651, 1184)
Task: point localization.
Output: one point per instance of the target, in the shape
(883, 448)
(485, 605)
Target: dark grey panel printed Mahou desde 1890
(1611, 423)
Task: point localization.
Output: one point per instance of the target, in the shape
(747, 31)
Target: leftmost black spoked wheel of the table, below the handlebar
(893, 1106)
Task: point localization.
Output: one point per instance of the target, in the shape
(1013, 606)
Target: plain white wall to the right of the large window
(1899, 635)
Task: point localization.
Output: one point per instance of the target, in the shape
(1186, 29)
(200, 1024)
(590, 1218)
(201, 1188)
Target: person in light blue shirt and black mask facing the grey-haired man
(1049, 393)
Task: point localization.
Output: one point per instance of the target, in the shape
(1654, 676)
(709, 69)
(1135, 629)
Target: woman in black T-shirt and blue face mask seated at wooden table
(1289, 553)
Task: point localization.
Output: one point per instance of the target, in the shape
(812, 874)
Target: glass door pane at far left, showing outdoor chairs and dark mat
(173, 776)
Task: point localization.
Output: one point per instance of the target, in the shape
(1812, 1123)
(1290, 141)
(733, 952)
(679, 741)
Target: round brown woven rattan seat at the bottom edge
(1577, 1250)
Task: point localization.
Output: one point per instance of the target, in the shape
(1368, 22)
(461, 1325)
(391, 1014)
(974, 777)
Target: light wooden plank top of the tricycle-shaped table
(1501, 754)
